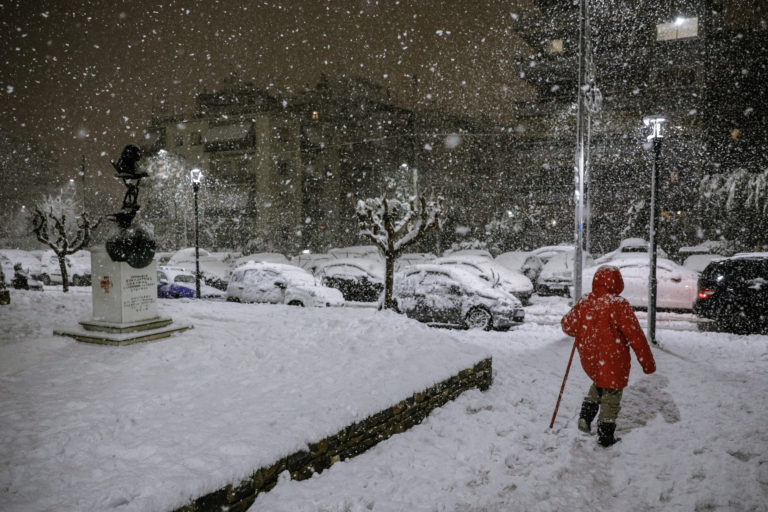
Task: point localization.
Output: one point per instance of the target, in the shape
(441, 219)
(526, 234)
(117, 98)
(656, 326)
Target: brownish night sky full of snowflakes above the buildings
(84, 76)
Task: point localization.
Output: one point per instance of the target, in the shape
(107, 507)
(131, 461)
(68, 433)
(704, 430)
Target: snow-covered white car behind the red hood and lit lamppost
(675, 285)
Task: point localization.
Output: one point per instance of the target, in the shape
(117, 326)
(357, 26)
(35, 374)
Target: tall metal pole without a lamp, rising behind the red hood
(579, 167)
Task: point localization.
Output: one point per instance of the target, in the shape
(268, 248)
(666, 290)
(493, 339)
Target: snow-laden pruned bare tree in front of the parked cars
(394, 225)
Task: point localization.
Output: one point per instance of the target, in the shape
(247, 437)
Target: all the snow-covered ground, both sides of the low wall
(695, 434)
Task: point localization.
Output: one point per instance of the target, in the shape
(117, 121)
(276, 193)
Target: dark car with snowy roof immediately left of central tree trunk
(359, 280)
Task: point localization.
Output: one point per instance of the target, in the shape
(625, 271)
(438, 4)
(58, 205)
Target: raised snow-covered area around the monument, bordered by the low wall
(155, 425)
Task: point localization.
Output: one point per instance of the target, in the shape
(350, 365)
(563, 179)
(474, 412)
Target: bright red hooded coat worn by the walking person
(605, 326)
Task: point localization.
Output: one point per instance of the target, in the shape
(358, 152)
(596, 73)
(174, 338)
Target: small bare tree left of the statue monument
(55, 229)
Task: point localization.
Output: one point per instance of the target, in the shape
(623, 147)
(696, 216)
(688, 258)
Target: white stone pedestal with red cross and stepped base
(124, 304)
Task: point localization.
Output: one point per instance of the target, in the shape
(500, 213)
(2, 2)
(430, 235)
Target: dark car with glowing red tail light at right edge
(733, 293)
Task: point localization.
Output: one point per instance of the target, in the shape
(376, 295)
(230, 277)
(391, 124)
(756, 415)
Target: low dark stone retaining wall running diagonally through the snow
(351, 441)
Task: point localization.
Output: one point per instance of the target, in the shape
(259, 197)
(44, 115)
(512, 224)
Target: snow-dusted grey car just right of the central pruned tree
(448, 295)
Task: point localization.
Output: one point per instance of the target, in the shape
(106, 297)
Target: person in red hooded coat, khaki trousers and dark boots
(605, 327)
